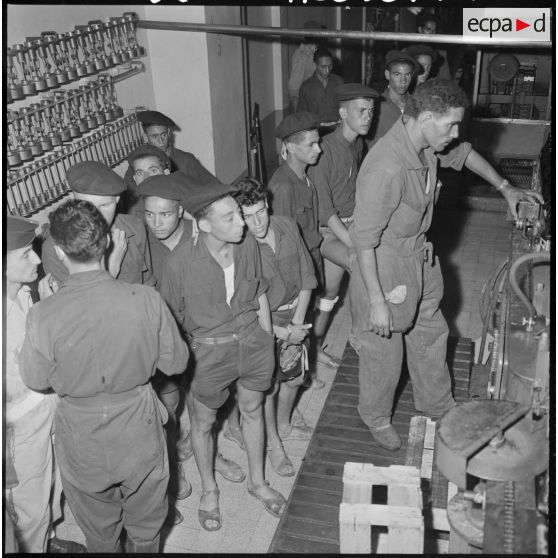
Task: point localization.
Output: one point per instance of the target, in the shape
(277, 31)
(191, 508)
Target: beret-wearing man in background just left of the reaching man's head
(400, 69)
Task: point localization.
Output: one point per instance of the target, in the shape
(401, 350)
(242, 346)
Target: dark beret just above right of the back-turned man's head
(92, 177)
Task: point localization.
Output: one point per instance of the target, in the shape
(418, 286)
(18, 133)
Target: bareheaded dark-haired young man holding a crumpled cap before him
(287, 266)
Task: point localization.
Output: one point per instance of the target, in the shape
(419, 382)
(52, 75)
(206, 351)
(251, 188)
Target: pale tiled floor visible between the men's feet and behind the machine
(470, 245)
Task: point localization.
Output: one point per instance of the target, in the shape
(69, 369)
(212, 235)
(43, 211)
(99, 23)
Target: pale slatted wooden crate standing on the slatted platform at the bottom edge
(402, 515)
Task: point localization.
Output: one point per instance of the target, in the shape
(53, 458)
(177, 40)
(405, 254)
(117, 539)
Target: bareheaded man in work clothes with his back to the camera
(110, 443)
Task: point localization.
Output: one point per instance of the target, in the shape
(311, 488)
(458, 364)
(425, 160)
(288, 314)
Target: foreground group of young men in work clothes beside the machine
(220, 281)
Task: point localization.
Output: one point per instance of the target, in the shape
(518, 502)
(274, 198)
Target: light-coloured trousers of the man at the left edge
(37, 496)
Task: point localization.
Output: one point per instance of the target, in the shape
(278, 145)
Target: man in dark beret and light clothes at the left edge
(33, 486)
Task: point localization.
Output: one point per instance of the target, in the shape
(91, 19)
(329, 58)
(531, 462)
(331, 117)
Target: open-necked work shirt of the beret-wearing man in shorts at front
(193, 284)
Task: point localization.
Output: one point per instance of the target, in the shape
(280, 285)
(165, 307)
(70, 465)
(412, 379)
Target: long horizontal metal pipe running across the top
(333, 34)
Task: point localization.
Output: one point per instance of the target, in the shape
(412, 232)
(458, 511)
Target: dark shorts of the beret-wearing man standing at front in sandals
(249, 359)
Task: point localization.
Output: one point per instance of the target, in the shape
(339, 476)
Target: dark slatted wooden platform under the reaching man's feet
(310, 523)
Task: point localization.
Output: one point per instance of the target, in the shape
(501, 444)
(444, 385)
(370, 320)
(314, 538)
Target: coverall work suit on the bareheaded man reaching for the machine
(395, 199)
